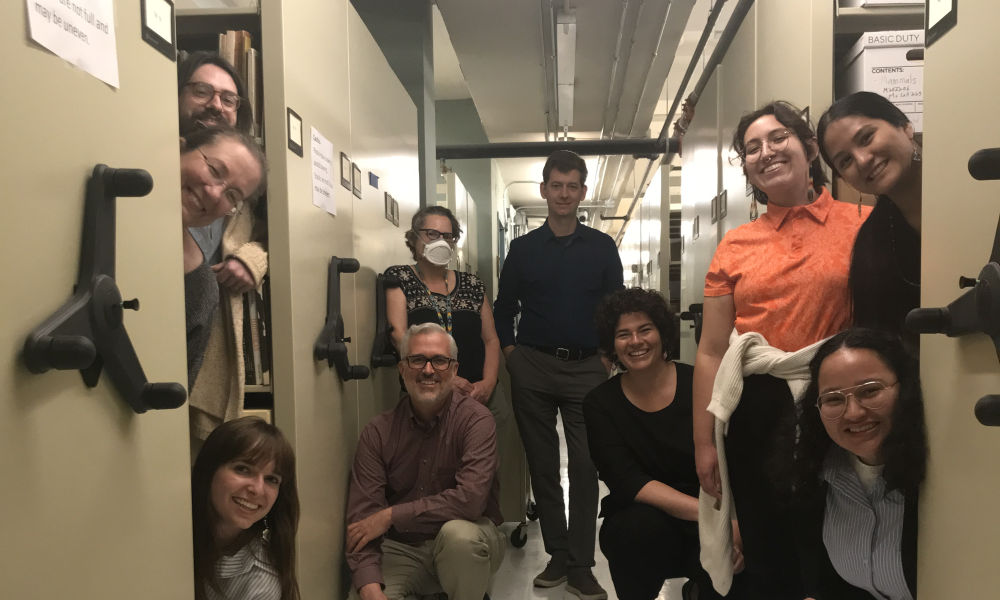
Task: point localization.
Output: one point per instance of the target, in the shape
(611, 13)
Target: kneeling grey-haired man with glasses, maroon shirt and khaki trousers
(424, 506)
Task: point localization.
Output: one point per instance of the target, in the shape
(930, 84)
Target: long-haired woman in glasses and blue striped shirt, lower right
(852, 461)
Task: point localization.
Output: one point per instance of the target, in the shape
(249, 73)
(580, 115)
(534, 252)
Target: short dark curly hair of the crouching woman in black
(633, 300)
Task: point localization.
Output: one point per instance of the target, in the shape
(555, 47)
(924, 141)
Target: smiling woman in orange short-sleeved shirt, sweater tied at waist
(784, 276)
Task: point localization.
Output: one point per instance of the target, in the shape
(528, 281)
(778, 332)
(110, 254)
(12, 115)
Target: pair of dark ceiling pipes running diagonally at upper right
(732, 28)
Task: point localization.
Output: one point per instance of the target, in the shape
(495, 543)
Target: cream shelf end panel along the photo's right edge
(959, 528)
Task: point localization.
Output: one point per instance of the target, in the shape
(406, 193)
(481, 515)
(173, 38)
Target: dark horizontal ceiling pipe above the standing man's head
(545, 149)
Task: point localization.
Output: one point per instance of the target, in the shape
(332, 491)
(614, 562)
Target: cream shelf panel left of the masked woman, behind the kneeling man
(384, 141)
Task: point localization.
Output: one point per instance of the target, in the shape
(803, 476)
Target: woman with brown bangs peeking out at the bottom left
(245, 510)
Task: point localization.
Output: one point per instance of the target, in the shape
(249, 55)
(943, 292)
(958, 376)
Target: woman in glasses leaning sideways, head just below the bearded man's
(221, 169)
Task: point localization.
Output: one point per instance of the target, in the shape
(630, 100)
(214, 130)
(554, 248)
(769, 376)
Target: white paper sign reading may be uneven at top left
(79, 31)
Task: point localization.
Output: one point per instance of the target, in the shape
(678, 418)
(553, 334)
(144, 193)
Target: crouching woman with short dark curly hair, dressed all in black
(640, 437)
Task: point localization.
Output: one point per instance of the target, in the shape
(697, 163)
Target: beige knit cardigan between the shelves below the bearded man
(217, 395)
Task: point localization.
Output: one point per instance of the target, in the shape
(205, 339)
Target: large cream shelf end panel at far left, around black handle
(97, 498)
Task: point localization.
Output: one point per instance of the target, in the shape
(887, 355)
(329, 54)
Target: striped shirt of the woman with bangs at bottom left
(246, 575)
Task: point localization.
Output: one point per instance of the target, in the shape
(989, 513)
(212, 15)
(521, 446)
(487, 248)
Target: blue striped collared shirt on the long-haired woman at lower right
(863, 531)
